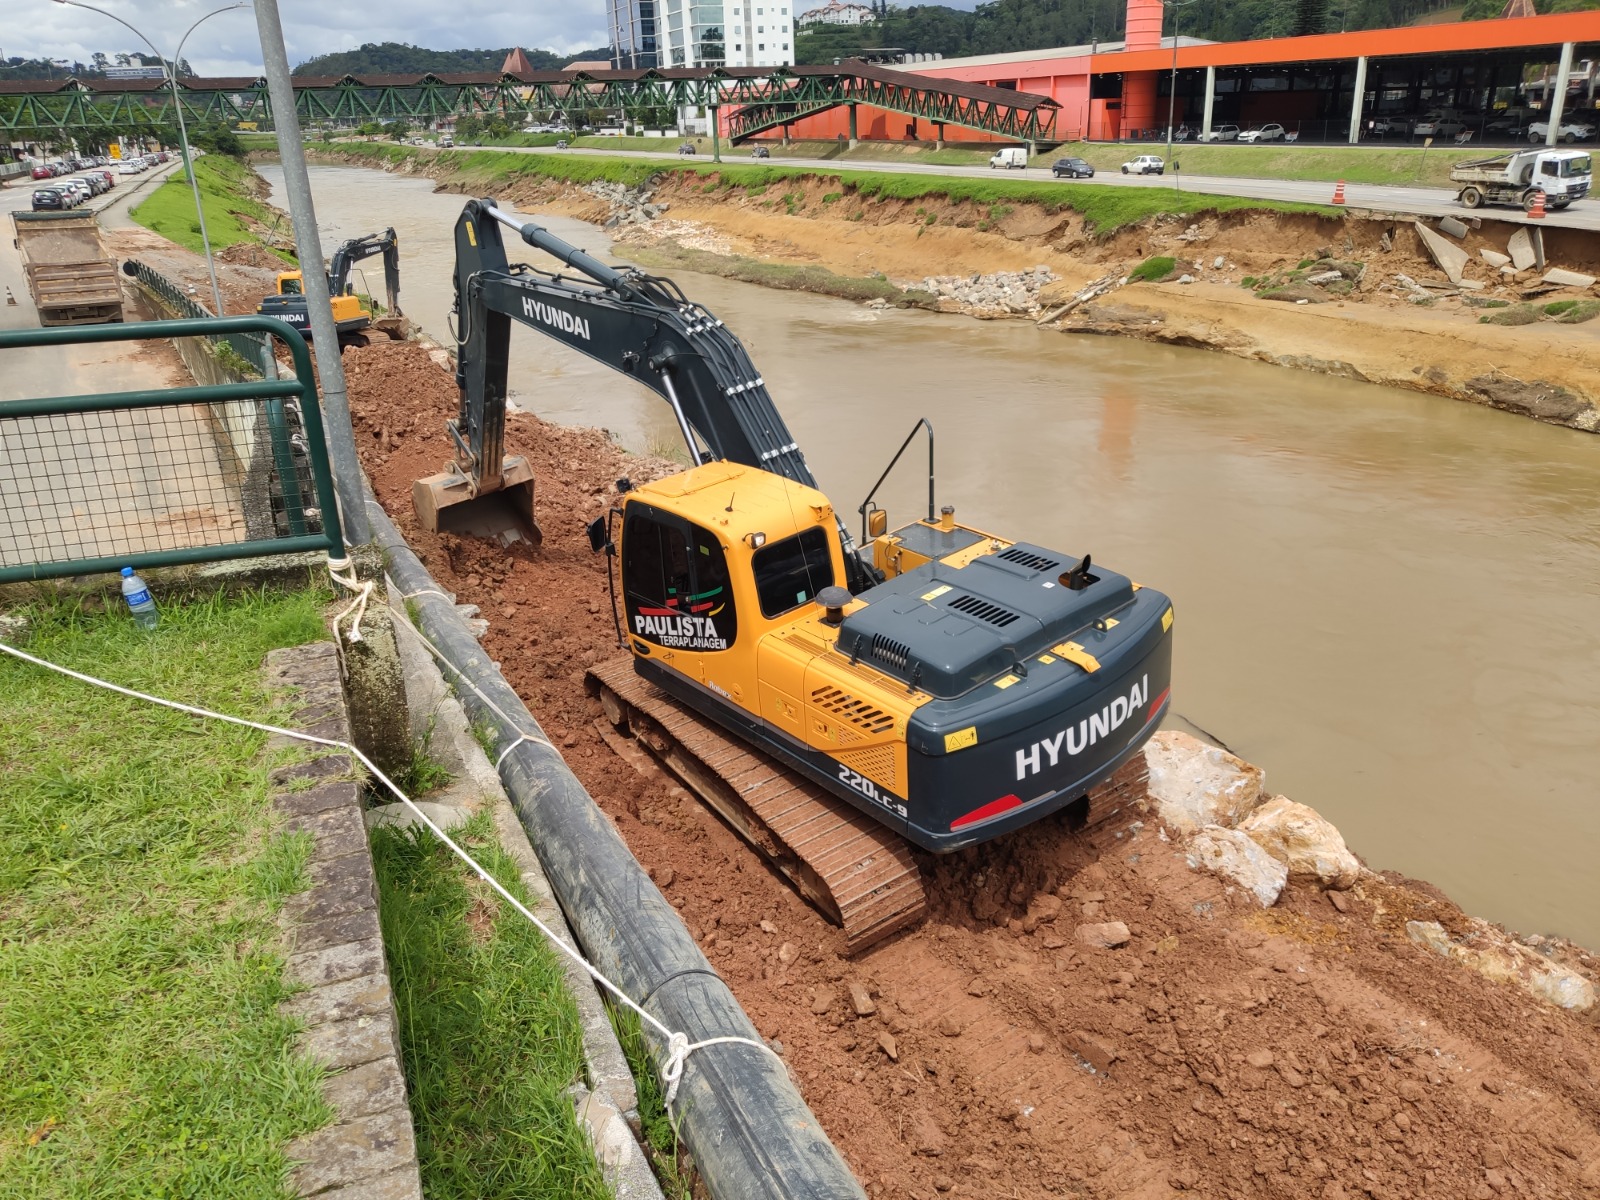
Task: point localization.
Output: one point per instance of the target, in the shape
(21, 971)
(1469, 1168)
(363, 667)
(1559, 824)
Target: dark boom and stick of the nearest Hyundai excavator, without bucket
(634, 324)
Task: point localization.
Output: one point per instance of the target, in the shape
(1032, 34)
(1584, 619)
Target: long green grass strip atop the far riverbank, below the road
(1105, 209)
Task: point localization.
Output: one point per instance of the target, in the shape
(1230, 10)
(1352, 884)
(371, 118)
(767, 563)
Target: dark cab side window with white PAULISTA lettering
(676, 583)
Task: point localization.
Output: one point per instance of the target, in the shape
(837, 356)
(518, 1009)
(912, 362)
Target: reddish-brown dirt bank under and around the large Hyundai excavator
(1308, 1050)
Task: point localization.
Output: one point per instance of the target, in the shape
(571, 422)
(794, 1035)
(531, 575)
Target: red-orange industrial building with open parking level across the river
(1327, 87)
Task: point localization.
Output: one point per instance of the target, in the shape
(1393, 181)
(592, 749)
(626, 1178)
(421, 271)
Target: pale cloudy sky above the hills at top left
(228, 46)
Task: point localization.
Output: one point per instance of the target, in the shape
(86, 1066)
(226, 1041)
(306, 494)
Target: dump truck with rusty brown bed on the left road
(71, 276)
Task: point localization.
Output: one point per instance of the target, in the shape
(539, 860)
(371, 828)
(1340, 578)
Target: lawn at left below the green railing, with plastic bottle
(140, 874)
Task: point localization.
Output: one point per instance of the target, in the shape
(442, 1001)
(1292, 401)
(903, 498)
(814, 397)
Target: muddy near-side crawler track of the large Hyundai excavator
(857, 871)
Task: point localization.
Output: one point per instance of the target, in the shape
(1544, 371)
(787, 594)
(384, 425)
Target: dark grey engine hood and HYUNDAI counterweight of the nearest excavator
(1042, 684)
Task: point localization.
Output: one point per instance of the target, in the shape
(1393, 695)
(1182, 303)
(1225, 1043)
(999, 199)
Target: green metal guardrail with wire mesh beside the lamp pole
(92, 484)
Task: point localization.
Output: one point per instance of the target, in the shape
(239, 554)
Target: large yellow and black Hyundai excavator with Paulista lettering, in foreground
(938, 686)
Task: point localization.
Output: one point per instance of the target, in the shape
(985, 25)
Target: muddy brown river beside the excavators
(1388, 601)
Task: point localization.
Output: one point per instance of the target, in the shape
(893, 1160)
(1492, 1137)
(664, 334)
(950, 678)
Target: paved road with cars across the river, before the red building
(1410, 201)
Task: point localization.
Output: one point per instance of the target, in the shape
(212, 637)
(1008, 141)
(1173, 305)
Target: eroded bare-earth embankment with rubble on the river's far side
(1241, 282)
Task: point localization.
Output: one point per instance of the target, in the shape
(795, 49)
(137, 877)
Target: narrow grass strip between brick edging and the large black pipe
(489, 1034)
